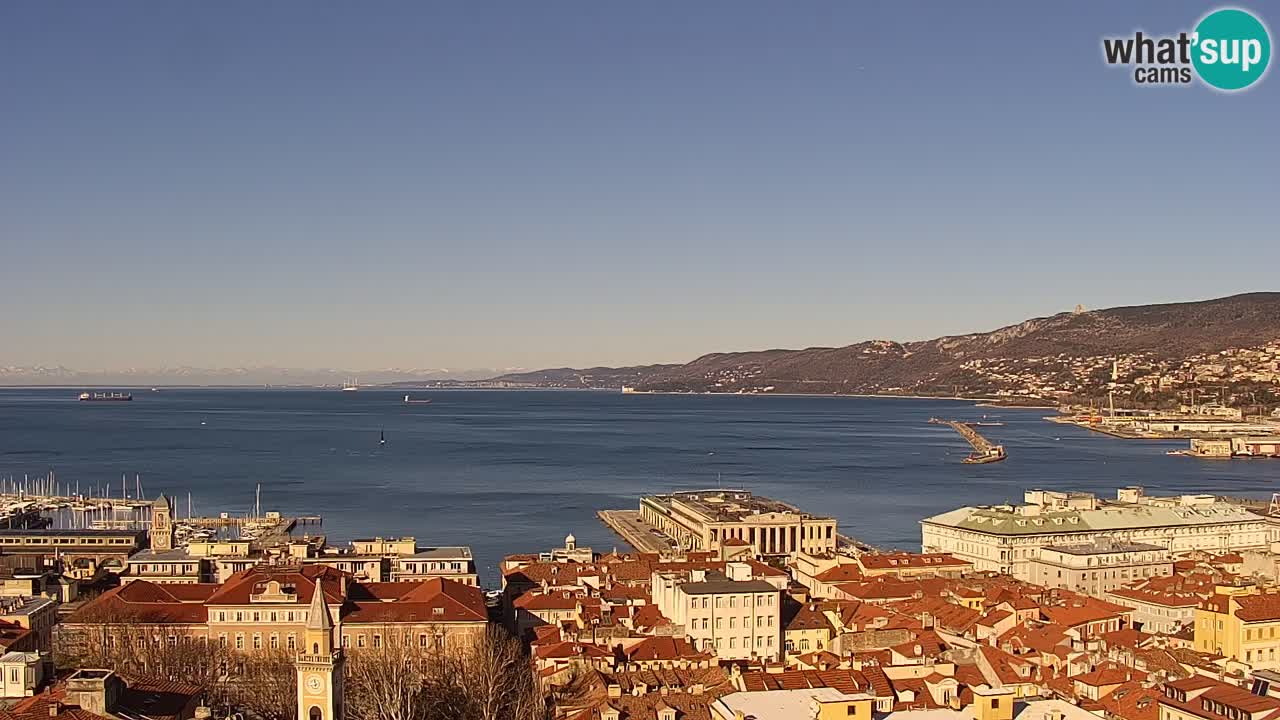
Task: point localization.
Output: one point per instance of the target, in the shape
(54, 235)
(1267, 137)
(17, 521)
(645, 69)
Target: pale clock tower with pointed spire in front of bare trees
(319, 664)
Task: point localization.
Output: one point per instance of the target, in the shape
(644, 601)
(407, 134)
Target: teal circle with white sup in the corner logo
(1231, 49)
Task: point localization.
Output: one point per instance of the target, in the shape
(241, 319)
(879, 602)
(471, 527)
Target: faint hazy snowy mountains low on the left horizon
(60, 376)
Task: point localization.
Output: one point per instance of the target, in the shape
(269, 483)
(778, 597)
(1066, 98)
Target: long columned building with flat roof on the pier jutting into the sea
(708, 520)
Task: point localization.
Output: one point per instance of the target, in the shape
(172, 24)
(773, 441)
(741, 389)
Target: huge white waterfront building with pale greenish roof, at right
(1009, 539)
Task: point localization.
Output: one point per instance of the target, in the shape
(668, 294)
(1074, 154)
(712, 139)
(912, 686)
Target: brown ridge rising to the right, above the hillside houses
(958, 364)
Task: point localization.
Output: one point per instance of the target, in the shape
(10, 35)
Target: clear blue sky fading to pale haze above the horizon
(499, 185)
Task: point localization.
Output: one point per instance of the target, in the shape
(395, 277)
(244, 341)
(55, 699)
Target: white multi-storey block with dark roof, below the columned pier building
(728, 614)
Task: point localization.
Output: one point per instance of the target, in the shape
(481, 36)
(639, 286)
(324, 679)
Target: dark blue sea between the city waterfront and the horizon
(514, 472)
